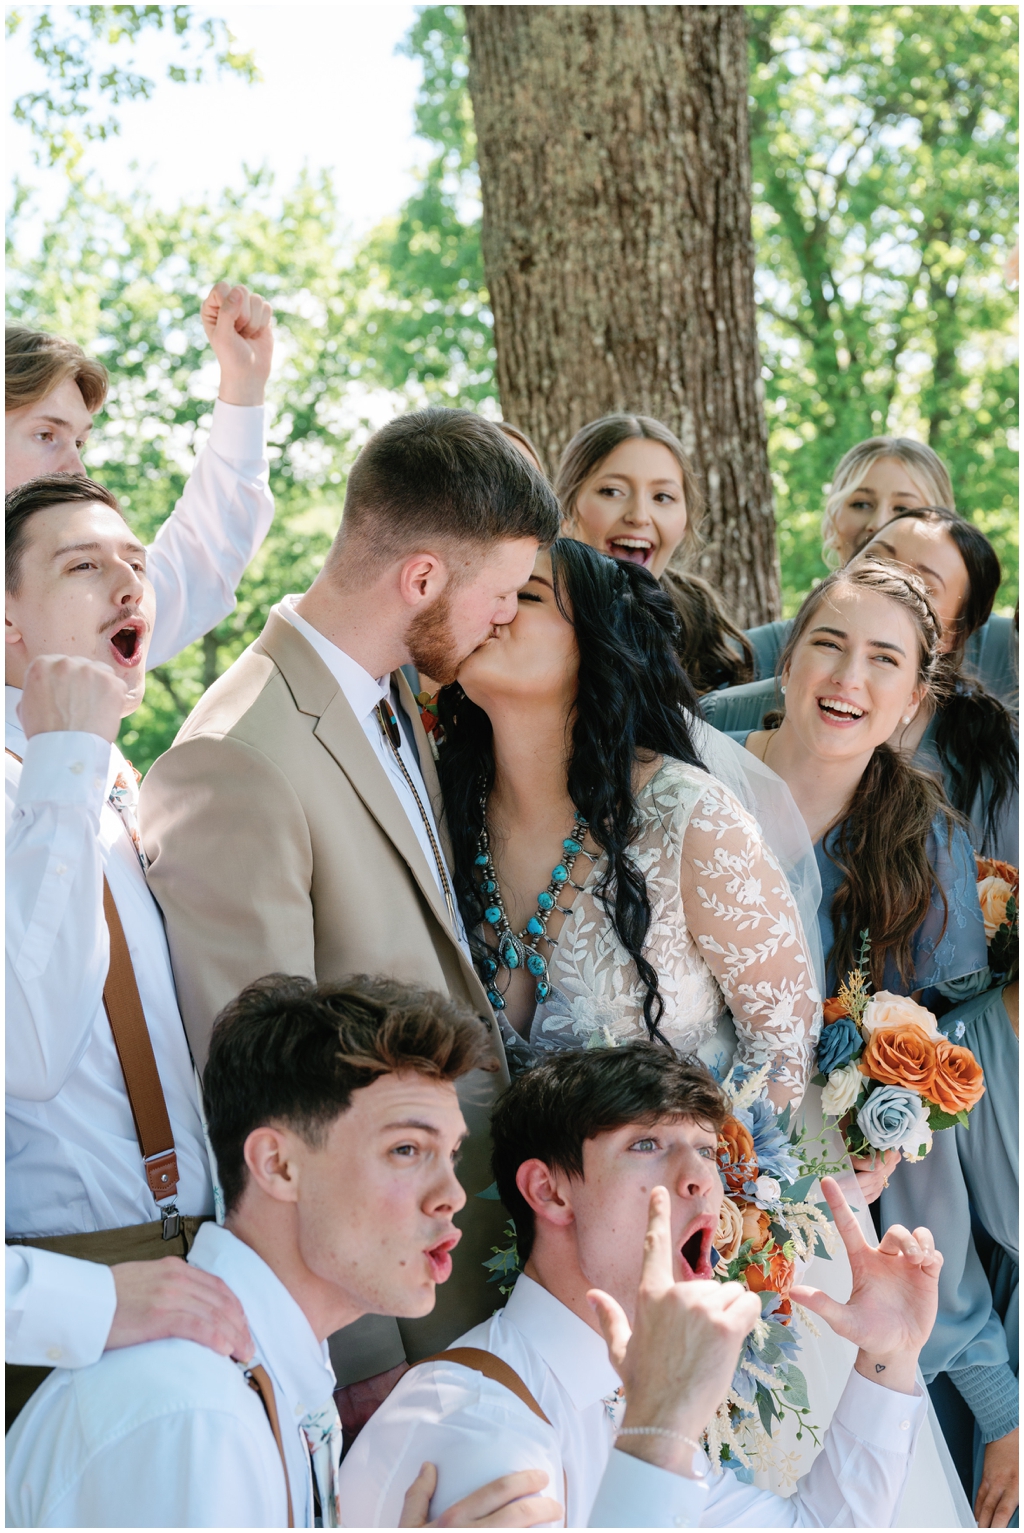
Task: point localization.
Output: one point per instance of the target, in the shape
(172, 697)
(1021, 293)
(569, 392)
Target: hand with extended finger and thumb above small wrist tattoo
(894, 1299)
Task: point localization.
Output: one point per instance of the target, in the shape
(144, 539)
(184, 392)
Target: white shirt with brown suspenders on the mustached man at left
(74, 1163)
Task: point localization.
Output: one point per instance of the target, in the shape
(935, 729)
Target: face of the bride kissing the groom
(533, 657)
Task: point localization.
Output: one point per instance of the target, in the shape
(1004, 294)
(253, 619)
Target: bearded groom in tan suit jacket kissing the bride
(294, 824)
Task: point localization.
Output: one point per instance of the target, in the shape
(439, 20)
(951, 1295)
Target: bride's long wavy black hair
(632, 700)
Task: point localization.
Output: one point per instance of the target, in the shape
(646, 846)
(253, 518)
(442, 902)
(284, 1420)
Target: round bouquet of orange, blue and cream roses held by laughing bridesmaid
(890, 1077)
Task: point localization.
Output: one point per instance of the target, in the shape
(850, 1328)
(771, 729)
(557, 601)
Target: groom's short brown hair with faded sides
(444, 476)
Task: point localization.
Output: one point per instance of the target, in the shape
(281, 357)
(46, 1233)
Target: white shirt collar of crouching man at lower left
(283, 1334)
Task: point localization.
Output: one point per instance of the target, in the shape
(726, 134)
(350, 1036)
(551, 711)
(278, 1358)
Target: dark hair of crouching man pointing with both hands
(551, 1112)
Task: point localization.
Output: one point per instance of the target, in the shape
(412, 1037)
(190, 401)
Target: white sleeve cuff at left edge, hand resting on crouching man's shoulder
(59, 1311)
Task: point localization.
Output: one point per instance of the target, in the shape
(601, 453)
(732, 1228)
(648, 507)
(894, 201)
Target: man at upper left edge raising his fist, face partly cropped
(200, 554)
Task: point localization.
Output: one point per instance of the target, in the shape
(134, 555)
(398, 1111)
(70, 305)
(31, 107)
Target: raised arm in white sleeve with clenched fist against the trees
(226, 508)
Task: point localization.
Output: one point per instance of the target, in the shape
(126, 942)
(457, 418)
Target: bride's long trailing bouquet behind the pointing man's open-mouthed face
(766, 1227)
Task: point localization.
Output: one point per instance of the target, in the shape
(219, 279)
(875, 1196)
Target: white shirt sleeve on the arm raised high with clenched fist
(202, 551)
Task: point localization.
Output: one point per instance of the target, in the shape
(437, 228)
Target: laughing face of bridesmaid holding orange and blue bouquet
(853, 678)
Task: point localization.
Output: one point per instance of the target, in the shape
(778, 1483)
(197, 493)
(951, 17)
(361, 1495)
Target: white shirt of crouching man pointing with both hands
(474, 1430)
